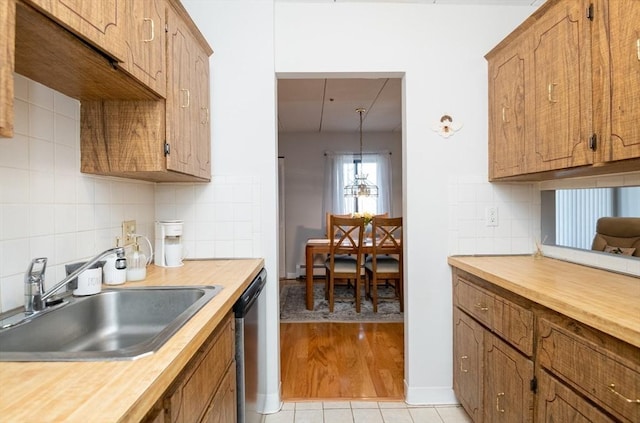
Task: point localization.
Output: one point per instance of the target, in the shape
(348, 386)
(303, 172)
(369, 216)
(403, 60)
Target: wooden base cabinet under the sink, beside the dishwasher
(206, 390)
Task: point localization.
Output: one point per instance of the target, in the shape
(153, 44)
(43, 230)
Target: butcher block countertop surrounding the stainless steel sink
(123, 390)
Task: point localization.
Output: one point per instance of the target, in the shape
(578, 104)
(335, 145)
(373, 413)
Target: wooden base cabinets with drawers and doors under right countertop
(571, 373)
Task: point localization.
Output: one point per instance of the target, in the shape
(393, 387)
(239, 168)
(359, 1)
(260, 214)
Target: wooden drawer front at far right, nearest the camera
(610, 380)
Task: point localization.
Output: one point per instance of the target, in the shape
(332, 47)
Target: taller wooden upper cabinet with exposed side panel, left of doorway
(160, 141)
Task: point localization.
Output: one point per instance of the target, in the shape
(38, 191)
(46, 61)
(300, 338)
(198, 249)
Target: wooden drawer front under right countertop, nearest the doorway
(511, 321)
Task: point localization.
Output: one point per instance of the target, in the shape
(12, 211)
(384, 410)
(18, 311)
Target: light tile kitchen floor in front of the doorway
(366, 412)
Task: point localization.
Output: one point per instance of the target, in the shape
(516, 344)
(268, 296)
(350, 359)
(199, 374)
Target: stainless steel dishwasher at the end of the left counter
(246, 313)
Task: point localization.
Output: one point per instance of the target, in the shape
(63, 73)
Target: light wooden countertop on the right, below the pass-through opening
(603, 300)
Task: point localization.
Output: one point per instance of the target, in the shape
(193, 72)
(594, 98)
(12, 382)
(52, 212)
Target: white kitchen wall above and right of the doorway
(439, 50)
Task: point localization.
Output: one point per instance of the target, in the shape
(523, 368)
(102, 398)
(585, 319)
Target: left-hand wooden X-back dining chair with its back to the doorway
(345, 256)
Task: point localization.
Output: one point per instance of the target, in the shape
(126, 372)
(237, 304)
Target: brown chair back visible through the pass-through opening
(618, 235)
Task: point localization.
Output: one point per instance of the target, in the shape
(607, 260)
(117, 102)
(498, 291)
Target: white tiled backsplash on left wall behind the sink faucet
(47, 207)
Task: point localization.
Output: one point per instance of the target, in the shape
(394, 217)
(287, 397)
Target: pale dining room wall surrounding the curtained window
(304, 163)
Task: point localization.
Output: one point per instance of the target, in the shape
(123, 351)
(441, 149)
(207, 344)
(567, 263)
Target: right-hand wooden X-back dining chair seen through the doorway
(385, 262)
